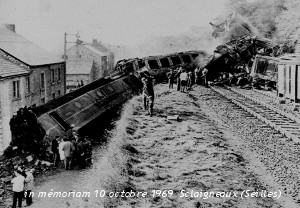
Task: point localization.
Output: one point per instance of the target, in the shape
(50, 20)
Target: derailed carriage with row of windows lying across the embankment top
(159, 65)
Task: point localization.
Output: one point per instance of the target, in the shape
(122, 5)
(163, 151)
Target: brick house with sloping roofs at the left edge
(29, 76)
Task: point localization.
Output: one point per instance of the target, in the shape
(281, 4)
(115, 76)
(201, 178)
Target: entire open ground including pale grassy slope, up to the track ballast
(193, 162)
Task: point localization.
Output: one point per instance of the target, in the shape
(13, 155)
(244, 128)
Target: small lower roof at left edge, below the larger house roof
(9, 69)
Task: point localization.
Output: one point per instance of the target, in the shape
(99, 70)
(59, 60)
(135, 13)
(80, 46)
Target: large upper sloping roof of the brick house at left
(25, 50)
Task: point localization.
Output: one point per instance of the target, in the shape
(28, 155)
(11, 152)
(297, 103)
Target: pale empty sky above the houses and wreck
(118, 22)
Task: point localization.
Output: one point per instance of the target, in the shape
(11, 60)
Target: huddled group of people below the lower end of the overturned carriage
(71, 151)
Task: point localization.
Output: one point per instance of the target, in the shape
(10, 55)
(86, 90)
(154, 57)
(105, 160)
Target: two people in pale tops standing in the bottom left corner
(22, 186)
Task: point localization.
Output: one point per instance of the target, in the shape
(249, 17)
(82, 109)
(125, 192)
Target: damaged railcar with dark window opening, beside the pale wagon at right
(264, 71)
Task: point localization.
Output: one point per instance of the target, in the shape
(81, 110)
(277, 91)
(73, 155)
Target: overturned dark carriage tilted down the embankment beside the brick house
(85, 107)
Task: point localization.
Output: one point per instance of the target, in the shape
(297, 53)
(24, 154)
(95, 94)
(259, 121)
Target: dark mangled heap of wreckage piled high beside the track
(232, 61)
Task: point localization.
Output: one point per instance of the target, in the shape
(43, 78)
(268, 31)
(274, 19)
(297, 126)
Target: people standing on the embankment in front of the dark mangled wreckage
(186, 77)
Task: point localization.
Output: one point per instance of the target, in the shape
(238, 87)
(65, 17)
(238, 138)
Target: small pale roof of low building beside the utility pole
(79, 66)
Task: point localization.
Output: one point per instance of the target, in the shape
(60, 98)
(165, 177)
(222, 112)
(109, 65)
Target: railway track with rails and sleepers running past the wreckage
(281, 121)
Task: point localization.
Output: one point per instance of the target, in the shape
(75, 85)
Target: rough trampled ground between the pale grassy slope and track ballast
(196, 154)
